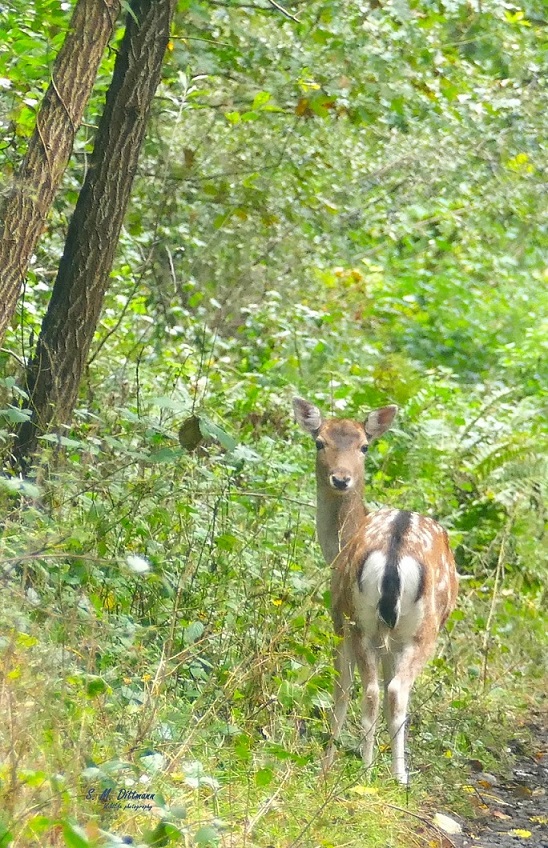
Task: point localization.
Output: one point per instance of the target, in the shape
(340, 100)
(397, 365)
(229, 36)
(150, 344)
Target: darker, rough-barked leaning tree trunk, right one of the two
(54, 374)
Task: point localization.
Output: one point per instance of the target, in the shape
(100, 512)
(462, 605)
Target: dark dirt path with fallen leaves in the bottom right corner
(512, 810)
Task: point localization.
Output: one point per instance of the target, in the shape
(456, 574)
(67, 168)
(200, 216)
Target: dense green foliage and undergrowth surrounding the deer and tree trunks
(351, 207)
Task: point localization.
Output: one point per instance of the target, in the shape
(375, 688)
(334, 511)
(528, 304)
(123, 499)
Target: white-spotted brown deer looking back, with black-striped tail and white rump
(393, 581)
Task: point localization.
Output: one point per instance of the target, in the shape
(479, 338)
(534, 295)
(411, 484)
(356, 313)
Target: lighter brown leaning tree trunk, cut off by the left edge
(27, 206)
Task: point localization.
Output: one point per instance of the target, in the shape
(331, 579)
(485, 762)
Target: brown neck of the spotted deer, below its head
(338, 519)
